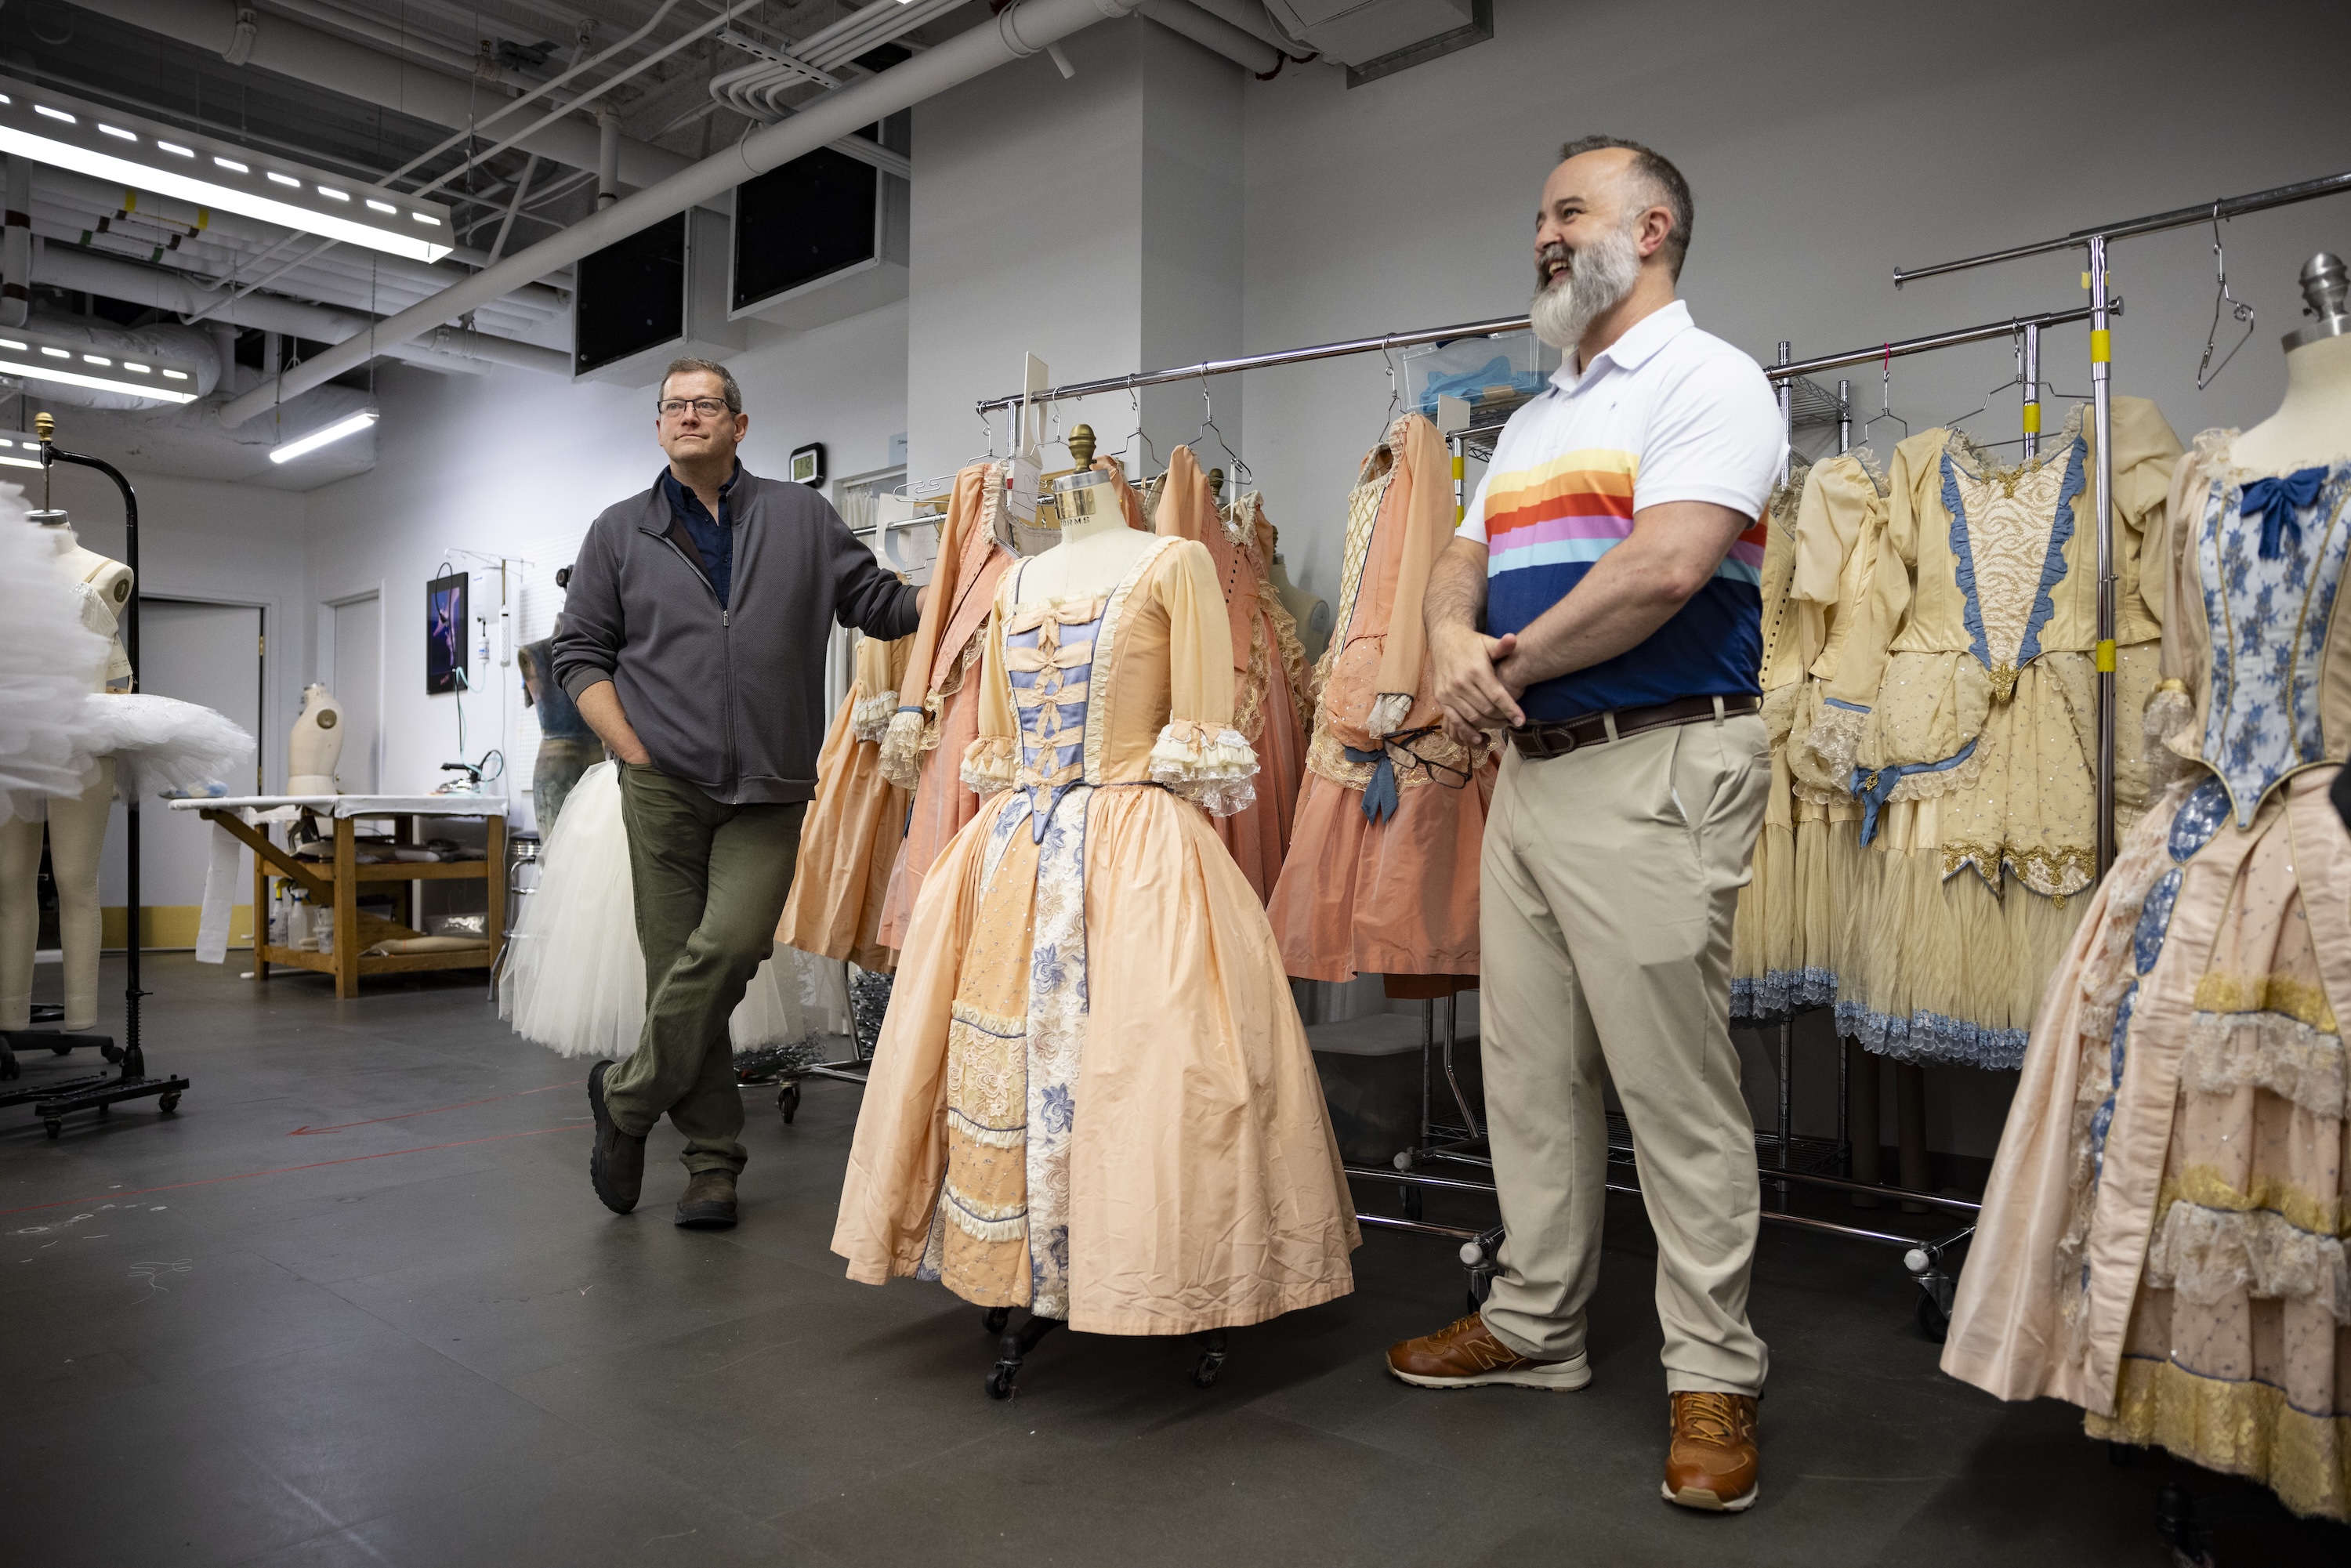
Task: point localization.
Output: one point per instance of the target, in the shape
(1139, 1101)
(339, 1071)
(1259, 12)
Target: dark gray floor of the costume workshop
(354, 1304)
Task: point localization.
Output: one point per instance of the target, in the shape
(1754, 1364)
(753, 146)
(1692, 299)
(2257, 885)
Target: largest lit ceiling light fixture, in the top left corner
(123, 149)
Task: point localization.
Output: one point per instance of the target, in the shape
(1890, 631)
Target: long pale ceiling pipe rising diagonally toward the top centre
(1019, 32)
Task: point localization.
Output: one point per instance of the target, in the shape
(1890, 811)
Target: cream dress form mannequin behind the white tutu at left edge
(76, 822)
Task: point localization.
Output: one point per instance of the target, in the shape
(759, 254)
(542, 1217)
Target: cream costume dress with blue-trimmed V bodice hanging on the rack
(1964, 716)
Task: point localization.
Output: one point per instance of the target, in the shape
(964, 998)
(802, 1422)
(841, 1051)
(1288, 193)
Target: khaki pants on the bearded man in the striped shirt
(1607, 897)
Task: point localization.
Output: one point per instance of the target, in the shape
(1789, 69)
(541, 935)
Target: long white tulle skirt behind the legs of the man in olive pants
(575, 974)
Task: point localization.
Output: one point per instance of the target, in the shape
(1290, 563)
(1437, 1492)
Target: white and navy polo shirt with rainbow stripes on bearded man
(1666, 413)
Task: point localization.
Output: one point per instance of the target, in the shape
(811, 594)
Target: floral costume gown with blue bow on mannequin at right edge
(2164, 1231)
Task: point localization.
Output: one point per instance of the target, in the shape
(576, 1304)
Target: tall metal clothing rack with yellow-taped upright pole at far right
(2094, 243)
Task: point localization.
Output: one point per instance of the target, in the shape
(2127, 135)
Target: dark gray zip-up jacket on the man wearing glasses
(728, 697)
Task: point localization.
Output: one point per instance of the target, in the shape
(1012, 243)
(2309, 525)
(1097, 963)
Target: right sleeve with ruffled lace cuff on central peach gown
(1200, 756)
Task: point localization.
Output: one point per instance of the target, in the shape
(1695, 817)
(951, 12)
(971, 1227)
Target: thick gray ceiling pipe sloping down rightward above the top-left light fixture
(354, 69)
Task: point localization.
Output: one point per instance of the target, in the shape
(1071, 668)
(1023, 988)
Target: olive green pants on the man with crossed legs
(711, 885)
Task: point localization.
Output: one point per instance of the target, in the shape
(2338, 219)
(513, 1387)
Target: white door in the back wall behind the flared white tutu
(203, 655)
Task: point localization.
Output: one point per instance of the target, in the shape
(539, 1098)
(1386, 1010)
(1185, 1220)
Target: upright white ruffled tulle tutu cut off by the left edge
(48, 666)
